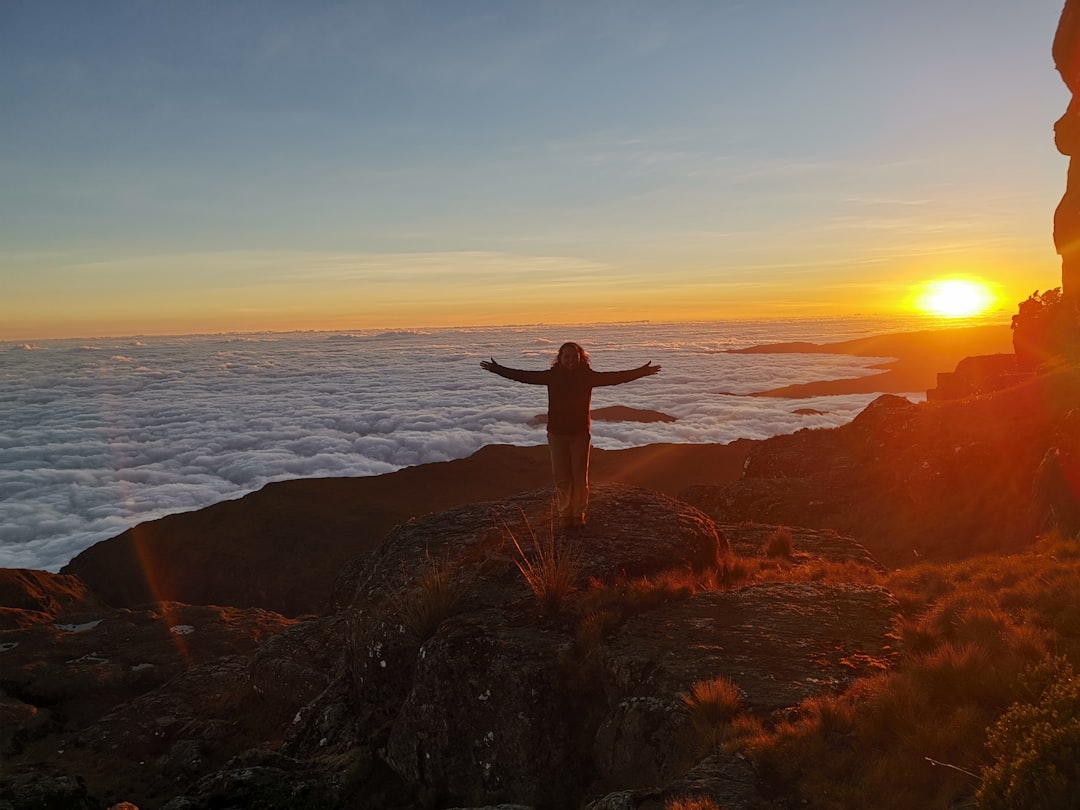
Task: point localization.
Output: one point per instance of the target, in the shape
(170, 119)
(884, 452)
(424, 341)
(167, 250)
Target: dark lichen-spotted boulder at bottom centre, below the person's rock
(491, 714)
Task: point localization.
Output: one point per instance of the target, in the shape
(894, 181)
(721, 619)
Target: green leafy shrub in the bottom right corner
(1036, 746)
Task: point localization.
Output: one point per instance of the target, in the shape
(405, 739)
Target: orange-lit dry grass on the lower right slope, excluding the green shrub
(916, 736)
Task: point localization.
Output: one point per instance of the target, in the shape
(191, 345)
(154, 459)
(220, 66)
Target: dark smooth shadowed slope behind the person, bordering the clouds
(281, 547)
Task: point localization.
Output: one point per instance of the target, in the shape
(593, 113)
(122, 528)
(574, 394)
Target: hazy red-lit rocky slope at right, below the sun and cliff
(939, 481)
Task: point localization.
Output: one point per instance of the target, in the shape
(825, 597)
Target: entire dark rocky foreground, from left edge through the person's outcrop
(443, 681)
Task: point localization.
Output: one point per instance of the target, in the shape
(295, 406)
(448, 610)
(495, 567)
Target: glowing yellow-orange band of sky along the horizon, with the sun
(252, 309)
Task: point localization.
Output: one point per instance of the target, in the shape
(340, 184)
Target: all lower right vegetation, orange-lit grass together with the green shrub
(962, 701)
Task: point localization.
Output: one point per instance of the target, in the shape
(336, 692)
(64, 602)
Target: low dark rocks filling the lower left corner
(131, 699)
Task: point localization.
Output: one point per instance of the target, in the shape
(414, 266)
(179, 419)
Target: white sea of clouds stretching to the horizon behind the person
(99, 436)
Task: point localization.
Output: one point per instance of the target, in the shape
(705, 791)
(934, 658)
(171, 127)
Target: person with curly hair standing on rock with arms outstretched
(571, 382)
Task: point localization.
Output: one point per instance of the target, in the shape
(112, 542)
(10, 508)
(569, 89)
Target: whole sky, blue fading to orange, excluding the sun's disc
(174, 168)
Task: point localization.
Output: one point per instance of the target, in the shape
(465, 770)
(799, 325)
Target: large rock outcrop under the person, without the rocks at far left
(484, 706)
